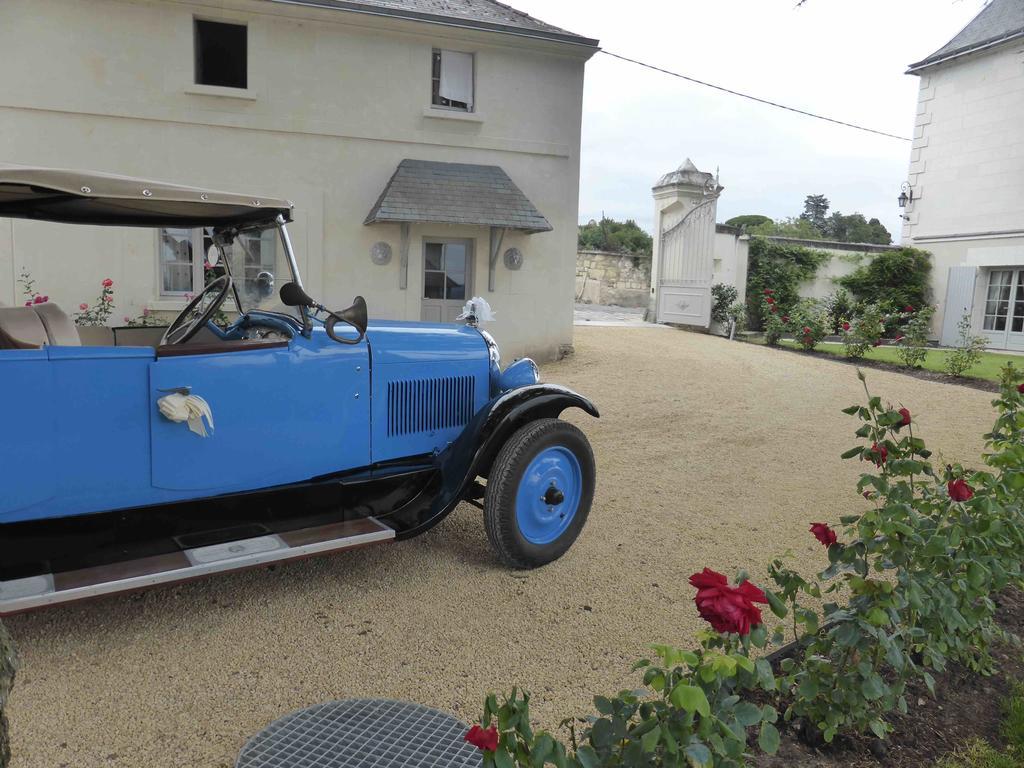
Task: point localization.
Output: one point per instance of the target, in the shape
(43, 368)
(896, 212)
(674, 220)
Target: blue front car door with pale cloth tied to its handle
(282, 414)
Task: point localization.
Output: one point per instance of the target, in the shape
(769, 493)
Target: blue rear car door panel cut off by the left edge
(28, 461)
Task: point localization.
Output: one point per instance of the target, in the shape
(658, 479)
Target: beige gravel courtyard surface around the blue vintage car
(709, 453)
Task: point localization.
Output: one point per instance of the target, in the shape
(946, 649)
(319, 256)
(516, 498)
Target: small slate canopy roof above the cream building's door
(423, 192)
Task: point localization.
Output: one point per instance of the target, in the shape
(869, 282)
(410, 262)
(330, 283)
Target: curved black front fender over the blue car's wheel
(475, 451)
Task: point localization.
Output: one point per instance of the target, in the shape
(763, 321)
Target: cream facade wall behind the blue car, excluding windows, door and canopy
(335, 102)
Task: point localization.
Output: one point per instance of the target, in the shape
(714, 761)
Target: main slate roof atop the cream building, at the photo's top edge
(485, 15)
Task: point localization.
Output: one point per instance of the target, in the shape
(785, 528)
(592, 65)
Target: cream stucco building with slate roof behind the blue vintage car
(340, 107)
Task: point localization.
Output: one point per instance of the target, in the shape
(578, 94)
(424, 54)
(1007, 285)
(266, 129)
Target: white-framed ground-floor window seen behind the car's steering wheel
(183, 265)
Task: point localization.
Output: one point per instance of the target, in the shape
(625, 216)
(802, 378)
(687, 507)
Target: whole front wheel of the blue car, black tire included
(539, 493)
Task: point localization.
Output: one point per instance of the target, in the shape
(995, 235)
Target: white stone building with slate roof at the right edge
(967, 176)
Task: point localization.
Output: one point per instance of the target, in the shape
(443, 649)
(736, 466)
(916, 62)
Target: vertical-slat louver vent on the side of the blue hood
(430, 405)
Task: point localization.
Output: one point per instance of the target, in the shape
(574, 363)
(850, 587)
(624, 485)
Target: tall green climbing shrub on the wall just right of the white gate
(781, 269)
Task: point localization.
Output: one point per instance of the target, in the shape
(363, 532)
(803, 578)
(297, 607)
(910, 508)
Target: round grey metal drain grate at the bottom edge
(362, 734)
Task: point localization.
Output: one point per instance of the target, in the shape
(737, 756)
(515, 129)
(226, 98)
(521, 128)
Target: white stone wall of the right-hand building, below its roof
(967, 163)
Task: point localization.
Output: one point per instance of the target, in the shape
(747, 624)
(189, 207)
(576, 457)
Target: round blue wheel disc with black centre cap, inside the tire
(549, 495)
